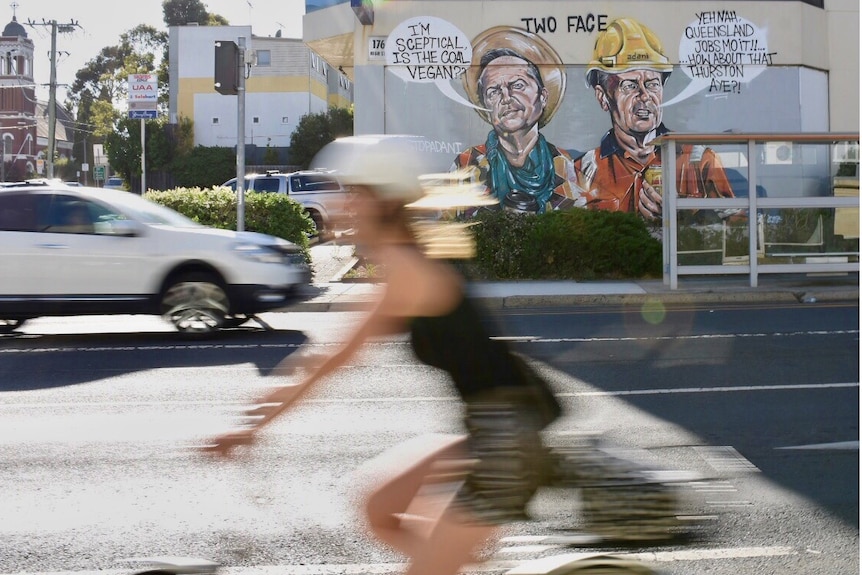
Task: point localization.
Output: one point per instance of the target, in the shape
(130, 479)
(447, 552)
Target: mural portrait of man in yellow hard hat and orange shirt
(627, 73)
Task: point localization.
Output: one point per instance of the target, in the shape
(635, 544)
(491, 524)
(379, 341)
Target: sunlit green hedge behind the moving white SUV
(273, 214)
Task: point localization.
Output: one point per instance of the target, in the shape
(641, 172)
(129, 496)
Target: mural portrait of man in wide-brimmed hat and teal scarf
(516, 81)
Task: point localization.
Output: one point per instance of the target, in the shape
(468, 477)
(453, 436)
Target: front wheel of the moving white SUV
(196, 304)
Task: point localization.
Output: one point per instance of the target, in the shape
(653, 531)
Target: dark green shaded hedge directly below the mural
(574, 244)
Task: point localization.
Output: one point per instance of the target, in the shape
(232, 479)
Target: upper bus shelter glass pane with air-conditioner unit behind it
(794, 169)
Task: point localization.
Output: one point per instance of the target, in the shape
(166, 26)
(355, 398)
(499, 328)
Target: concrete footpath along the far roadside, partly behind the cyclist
(332, 292)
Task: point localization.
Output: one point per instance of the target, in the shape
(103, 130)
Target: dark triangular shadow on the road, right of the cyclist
(741, 392)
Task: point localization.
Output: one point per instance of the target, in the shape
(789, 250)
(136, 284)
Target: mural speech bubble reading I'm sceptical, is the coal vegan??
(430, 49)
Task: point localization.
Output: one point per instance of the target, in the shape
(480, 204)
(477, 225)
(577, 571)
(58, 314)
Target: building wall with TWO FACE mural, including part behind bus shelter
(564, 104)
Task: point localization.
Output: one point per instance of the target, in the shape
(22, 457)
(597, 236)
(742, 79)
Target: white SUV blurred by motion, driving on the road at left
(76, 250)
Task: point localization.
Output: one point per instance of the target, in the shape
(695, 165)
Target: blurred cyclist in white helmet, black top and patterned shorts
(506, 406)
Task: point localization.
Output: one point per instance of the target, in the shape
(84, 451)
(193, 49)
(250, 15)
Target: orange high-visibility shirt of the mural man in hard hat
(612, 180)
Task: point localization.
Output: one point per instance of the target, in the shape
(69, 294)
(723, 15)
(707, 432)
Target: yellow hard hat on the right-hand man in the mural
(625, 45)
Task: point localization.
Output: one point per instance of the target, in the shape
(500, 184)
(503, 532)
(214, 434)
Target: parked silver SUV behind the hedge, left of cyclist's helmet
(320, 193)
